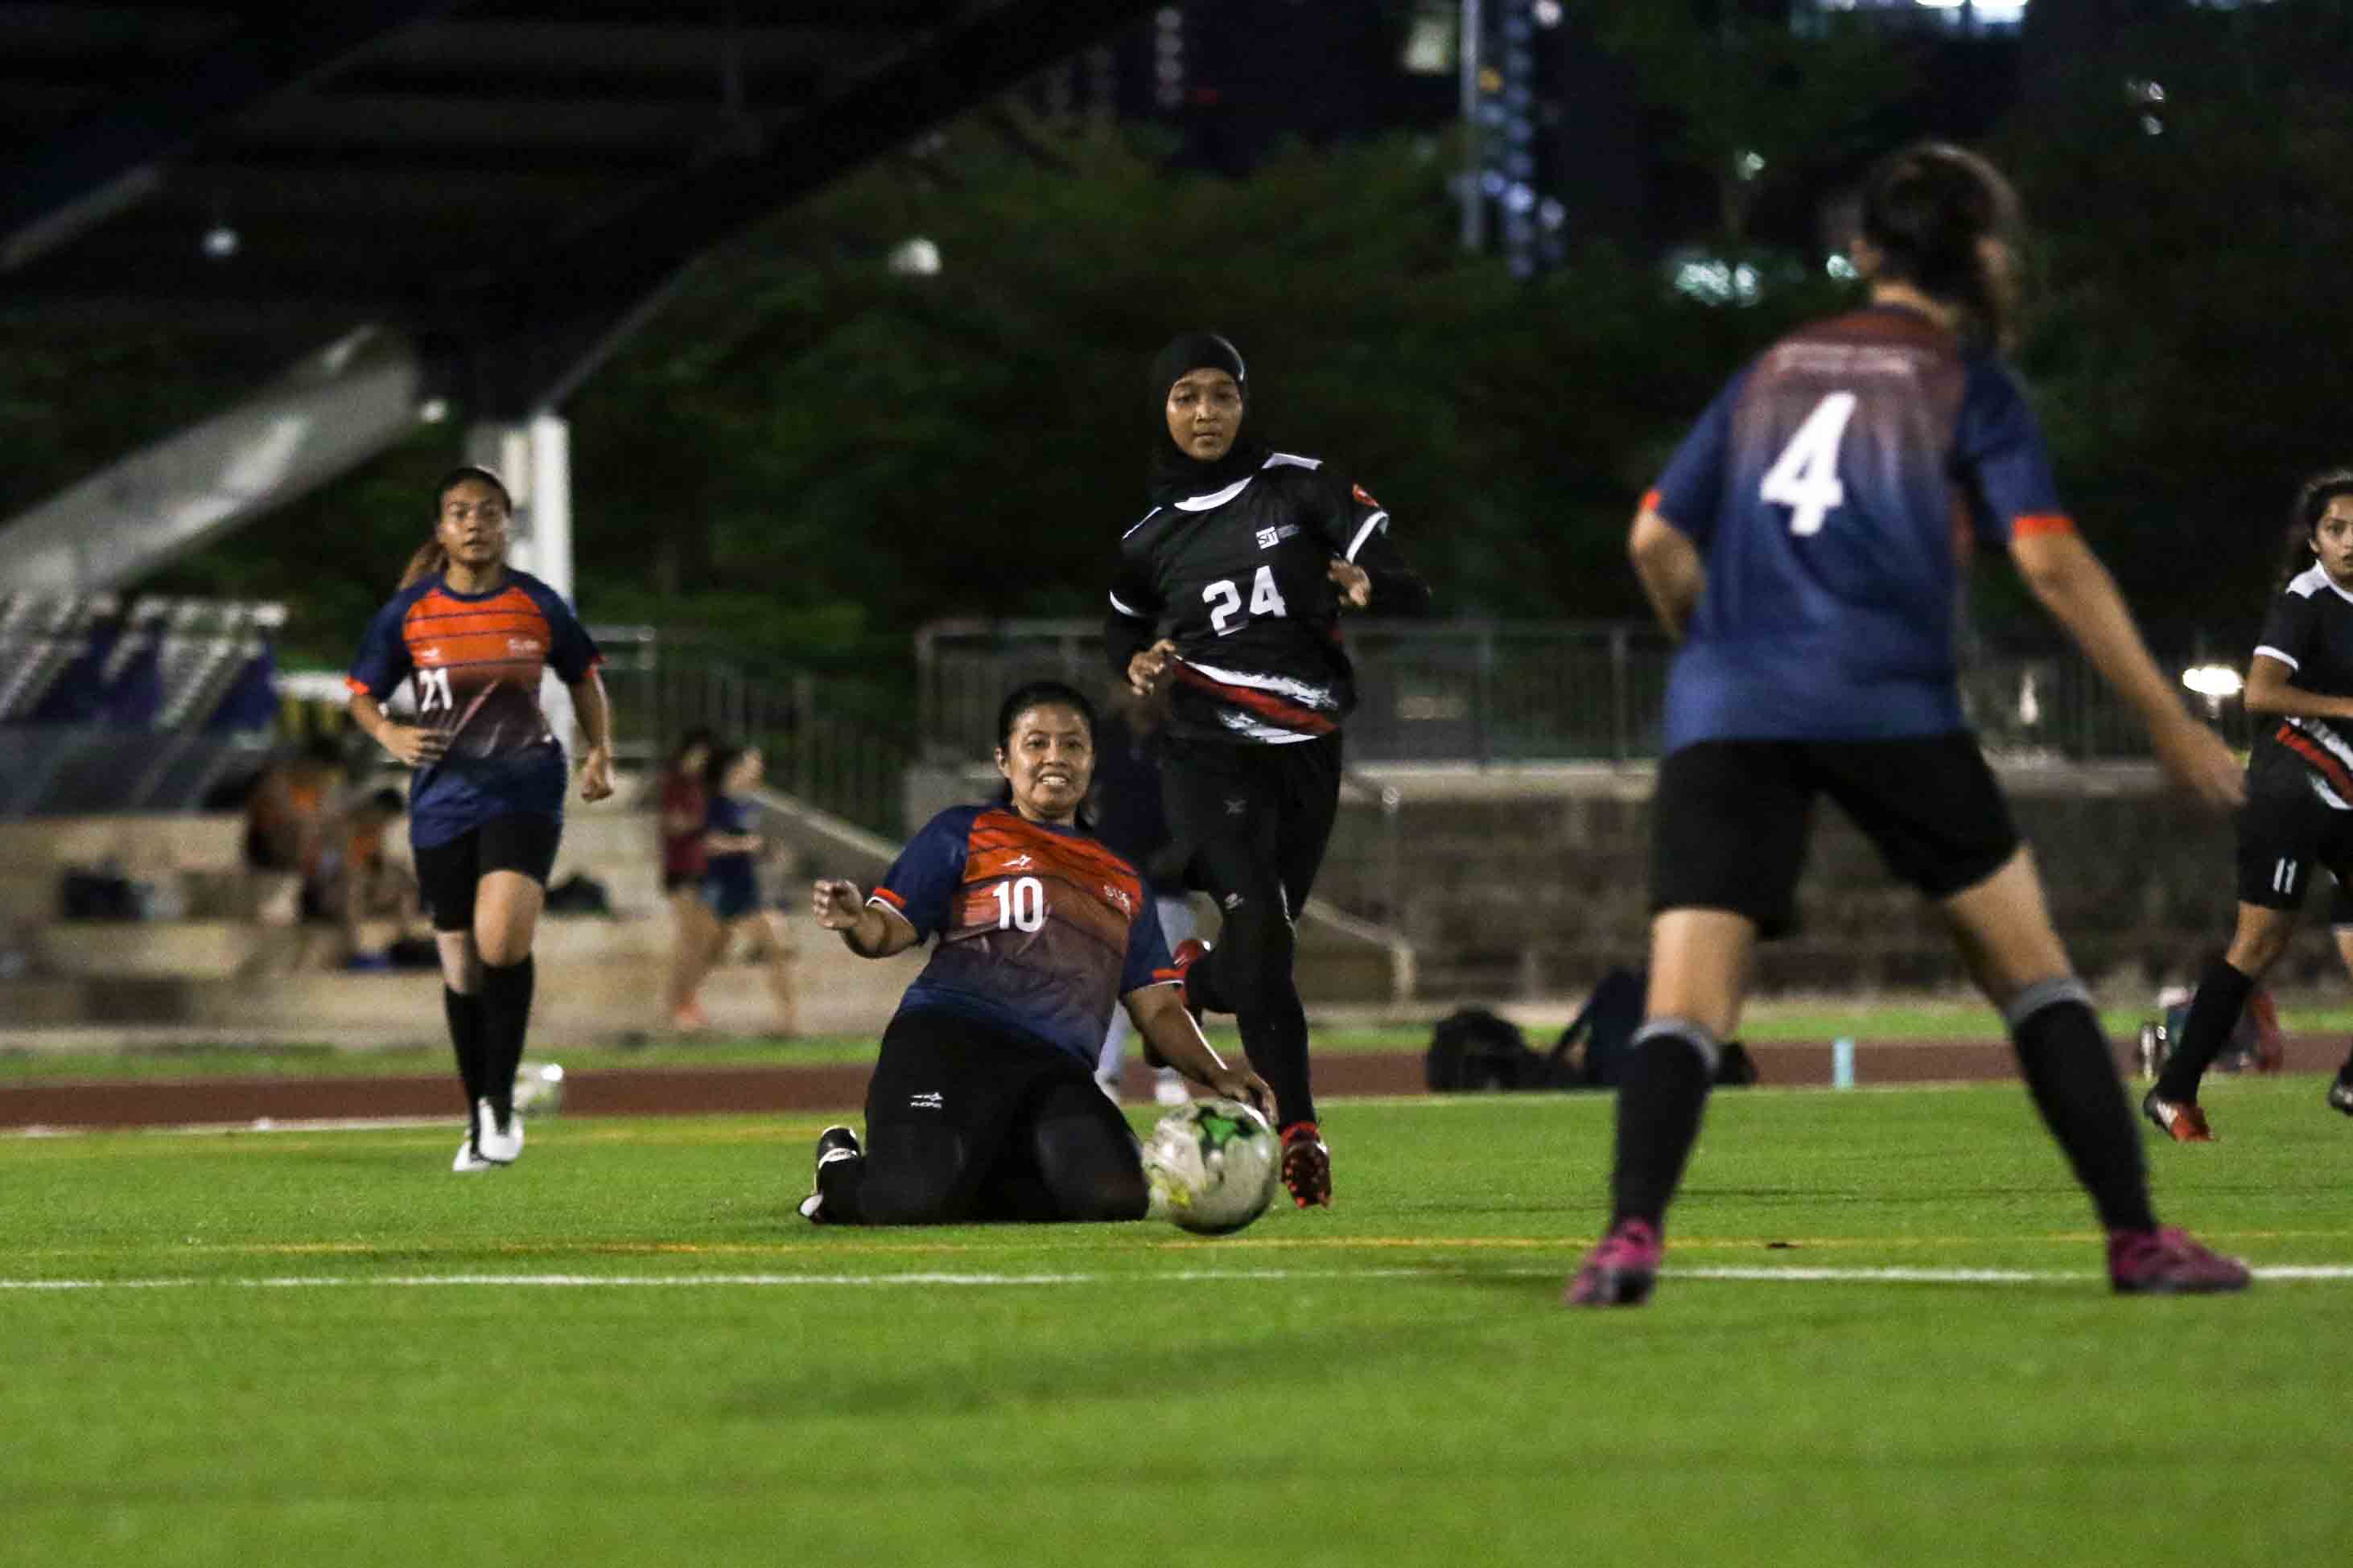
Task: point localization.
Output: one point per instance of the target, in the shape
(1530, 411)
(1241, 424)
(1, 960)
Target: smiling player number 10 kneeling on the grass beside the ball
(985, 1104)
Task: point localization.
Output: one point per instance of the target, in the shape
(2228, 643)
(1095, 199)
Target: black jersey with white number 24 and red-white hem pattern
(1239, 579)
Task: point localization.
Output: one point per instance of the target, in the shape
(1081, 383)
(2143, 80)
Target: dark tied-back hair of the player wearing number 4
(1928, 208)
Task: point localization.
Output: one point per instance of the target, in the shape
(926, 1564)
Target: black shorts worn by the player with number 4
(1731, 819)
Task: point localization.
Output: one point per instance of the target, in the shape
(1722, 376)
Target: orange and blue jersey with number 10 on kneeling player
(1041, 930)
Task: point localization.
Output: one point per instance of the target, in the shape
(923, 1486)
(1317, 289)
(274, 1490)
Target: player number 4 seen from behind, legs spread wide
(1804, 551)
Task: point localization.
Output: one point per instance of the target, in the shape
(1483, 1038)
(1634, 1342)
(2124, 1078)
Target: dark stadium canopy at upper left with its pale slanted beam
(432, 201)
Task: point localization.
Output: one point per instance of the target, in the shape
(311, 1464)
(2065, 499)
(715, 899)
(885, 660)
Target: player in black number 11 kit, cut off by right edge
(2300, 793)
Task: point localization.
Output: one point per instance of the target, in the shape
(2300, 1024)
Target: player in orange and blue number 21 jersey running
(486, 808)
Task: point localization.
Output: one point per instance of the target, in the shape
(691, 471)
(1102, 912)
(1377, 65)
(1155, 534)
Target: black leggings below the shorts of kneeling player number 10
(1060, 1160)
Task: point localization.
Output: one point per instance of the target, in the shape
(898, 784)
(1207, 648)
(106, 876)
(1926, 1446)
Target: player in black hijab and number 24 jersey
(1229, 591)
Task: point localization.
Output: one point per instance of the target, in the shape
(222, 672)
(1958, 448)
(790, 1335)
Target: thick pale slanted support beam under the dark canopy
(333, 413)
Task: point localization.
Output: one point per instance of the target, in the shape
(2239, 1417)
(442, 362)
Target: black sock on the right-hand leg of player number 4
(2074, 1083)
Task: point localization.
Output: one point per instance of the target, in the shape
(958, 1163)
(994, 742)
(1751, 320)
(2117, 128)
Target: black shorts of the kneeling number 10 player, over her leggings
(949, 1071)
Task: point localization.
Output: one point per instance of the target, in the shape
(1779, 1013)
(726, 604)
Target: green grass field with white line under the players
(324, 1348)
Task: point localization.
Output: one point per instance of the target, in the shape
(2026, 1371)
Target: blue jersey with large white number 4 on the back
(1834, 488)
